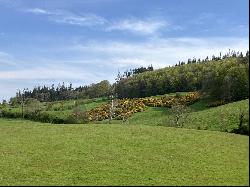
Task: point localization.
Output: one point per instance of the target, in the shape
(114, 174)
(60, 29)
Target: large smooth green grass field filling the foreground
(33, 153)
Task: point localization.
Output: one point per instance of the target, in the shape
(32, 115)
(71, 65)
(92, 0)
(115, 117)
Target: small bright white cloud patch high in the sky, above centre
(149, 26)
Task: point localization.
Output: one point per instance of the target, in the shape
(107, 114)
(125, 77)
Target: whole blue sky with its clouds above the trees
(86, 41)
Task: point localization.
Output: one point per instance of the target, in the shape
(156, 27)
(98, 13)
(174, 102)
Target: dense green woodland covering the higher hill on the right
(220, 78)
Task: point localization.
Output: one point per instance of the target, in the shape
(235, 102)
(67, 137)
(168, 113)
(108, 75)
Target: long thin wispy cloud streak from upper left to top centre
(134, 25)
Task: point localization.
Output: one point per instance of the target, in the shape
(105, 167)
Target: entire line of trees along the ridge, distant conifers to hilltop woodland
(220, 78)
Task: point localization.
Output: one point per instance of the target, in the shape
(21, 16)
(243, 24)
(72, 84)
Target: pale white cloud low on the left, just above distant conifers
(49, 72)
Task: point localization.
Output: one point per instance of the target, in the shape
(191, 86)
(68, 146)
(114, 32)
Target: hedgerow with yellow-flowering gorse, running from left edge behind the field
(123, 108)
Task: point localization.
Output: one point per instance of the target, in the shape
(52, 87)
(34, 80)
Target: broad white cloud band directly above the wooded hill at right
(157, 51)
